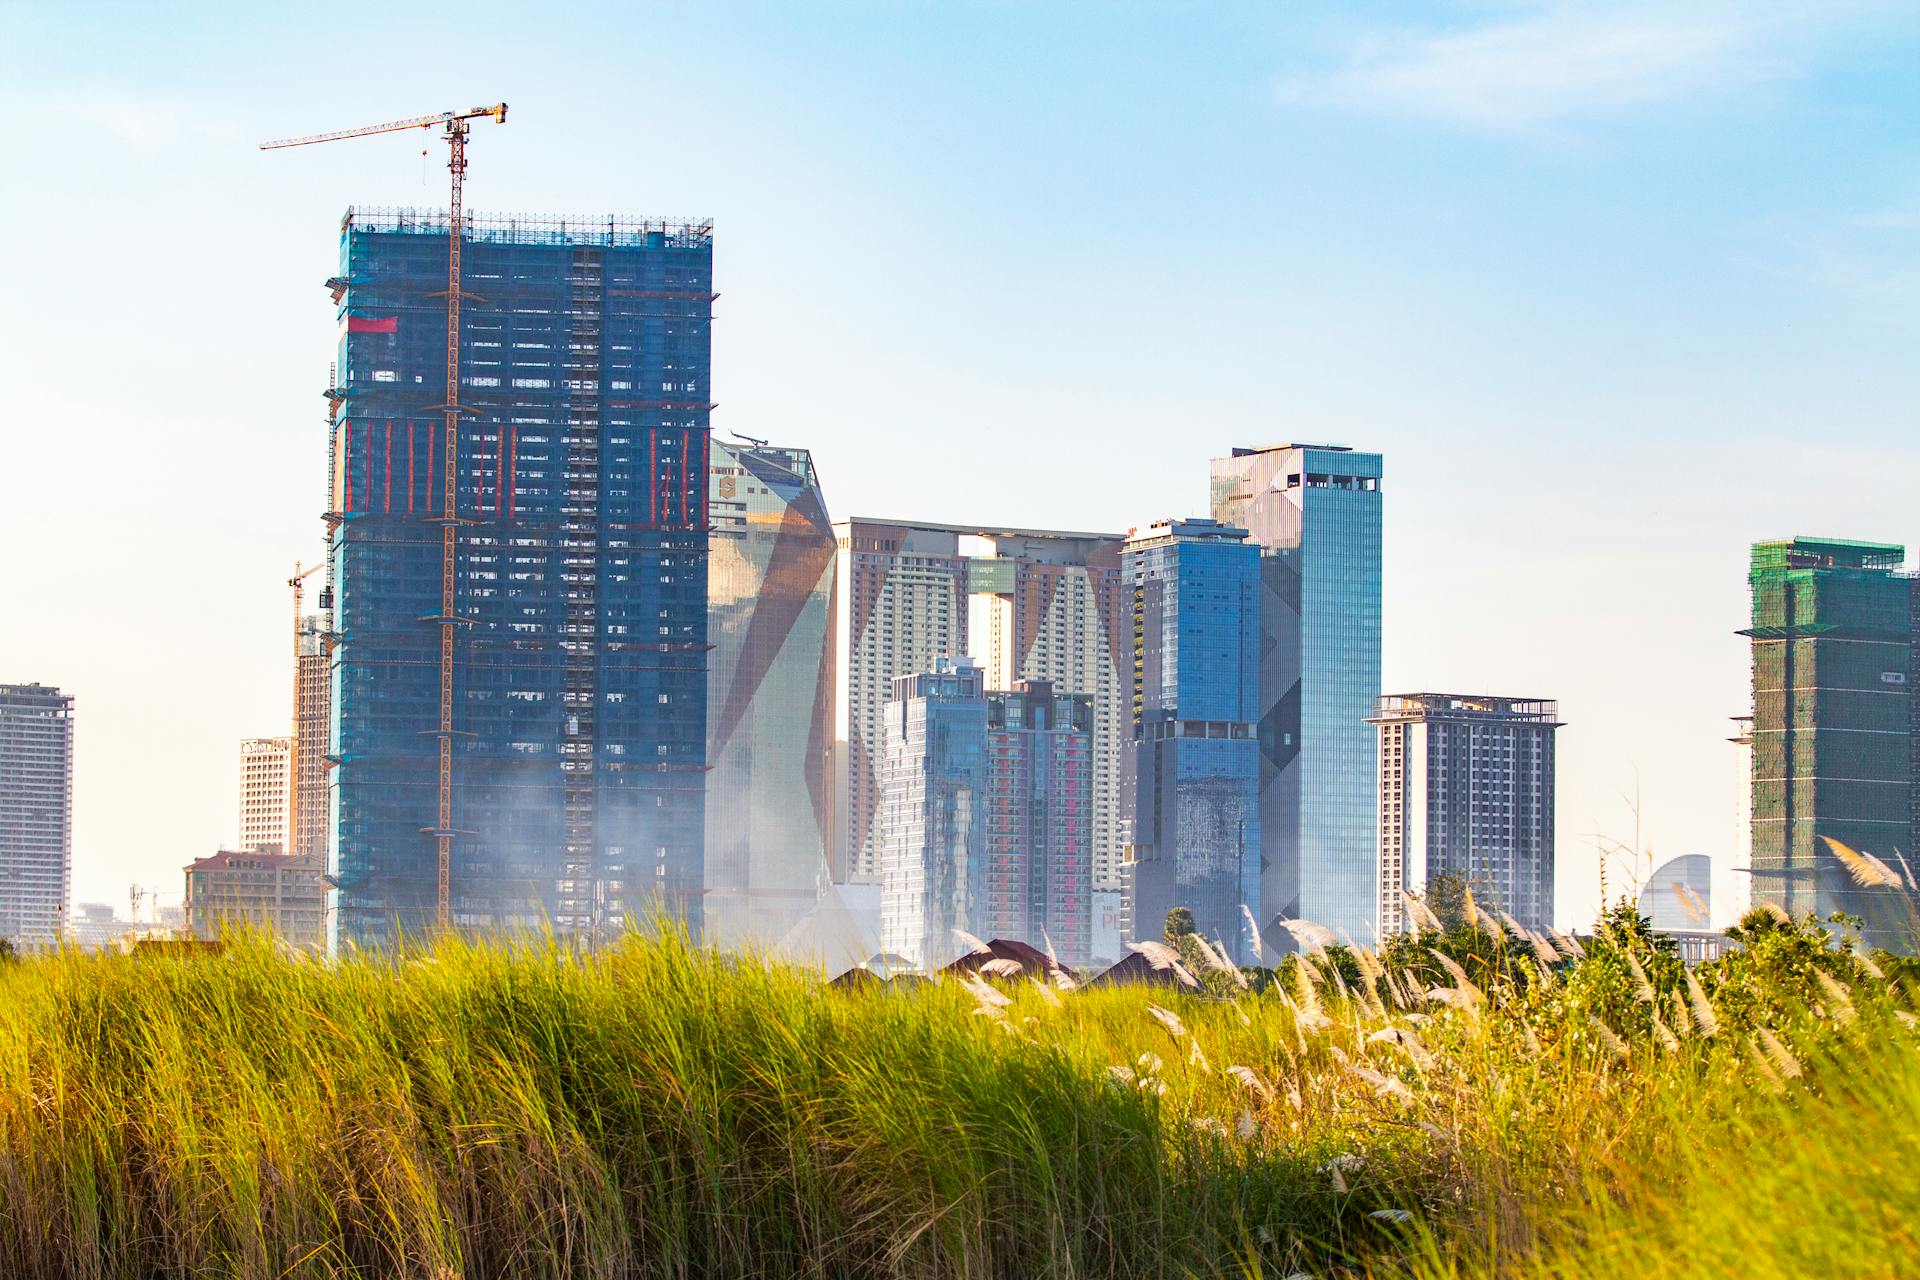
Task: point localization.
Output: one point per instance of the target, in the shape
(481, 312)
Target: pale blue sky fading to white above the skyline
(1618, 291)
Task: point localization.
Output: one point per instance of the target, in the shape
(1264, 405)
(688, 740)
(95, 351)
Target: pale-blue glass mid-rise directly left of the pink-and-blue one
(932, 832)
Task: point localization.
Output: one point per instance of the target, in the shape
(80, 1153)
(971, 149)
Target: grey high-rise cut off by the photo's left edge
(36, 813)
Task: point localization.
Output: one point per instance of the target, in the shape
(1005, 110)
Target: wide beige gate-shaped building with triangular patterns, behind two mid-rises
(1022, 604)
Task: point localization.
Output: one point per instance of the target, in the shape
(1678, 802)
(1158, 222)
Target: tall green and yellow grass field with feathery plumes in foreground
(1470, 1102)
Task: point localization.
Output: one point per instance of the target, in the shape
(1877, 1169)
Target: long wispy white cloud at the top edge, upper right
(1566, 62)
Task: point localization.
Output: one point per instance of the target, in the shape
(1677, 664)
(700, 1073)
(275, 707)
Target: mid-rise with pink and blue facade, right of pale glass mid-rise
(1040, 820)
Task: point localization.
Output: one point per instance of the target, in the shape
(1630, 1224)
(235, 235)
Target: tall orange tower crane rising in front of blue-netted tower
(454, 128)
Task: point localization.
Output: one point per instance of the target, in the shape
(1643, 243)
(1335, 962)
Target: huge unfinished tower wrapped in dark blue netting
(579, 678)
